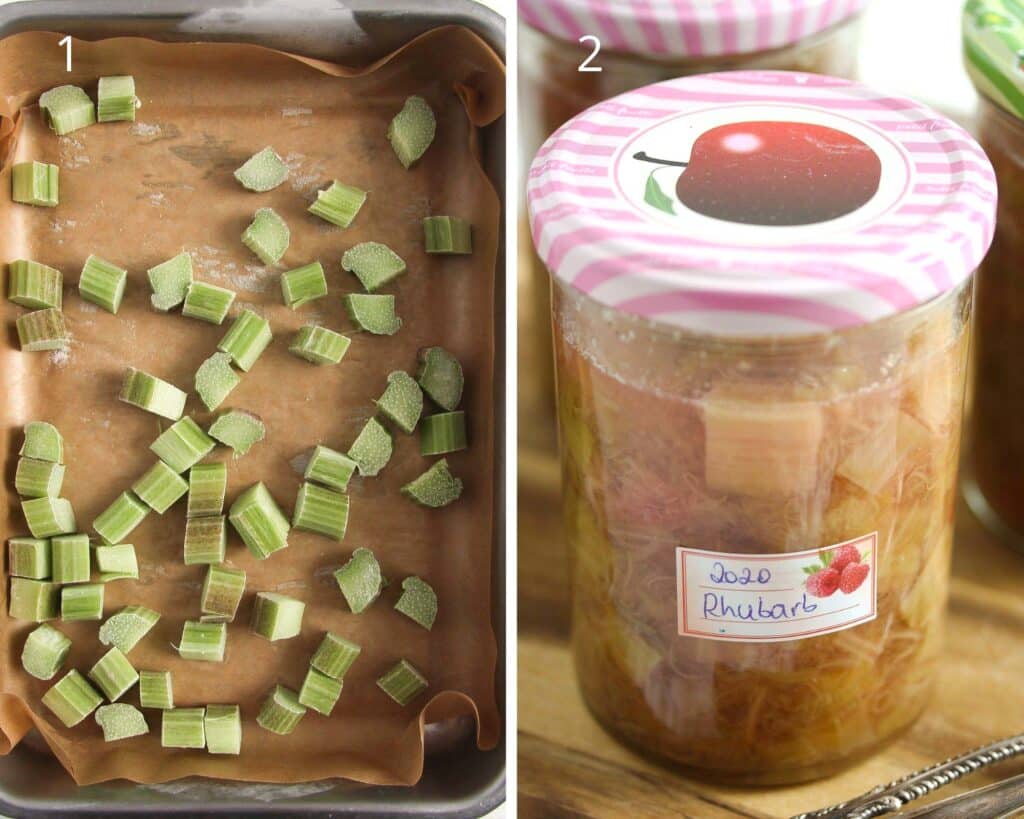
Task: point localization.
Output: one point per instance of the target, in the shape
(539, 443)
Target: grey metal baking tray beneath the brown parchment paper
(459, 781)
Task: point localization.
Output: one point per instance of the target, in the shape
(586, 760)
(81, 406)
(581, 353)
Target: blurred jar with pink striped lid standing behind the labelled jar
(552, 91)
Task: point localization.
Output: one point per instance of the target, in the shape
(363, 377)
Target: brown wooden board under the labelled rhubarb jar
(570, 767)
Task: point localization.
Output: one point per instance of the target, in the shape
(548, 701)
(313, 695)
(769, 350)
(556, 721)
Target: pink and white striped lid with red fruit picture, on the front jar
(761, 204)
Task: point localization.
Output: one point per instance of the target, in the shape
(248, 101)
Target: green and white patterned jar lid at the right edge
(994, 51)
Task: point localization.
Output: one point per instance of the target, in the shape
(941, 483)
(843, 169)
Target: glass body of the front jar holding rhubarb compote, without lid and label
(757, 448)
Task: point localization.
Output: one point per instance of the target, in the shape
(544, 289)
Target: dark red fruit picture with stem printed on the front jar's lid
(772, 174)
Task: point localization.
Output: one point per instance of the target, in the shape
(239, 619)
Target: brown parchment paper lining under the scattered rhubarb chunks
(139, 194)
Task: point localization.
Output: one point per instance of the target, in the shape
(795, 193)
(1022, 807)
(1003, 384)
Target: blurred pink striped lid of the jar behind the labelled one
(688, 29)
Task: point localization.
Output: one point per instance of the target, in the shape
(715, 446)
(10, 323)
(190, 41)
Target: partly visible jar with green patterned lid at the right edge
(995, 482)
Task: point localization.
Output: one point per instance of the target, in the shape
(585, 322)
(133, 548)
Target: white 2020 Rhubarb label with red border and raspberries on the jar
(772, 598)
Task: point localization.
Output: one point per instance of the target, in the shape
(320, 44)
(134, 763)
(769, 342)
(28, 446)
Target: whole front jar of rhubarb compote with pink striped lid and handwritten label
(759, 510)
